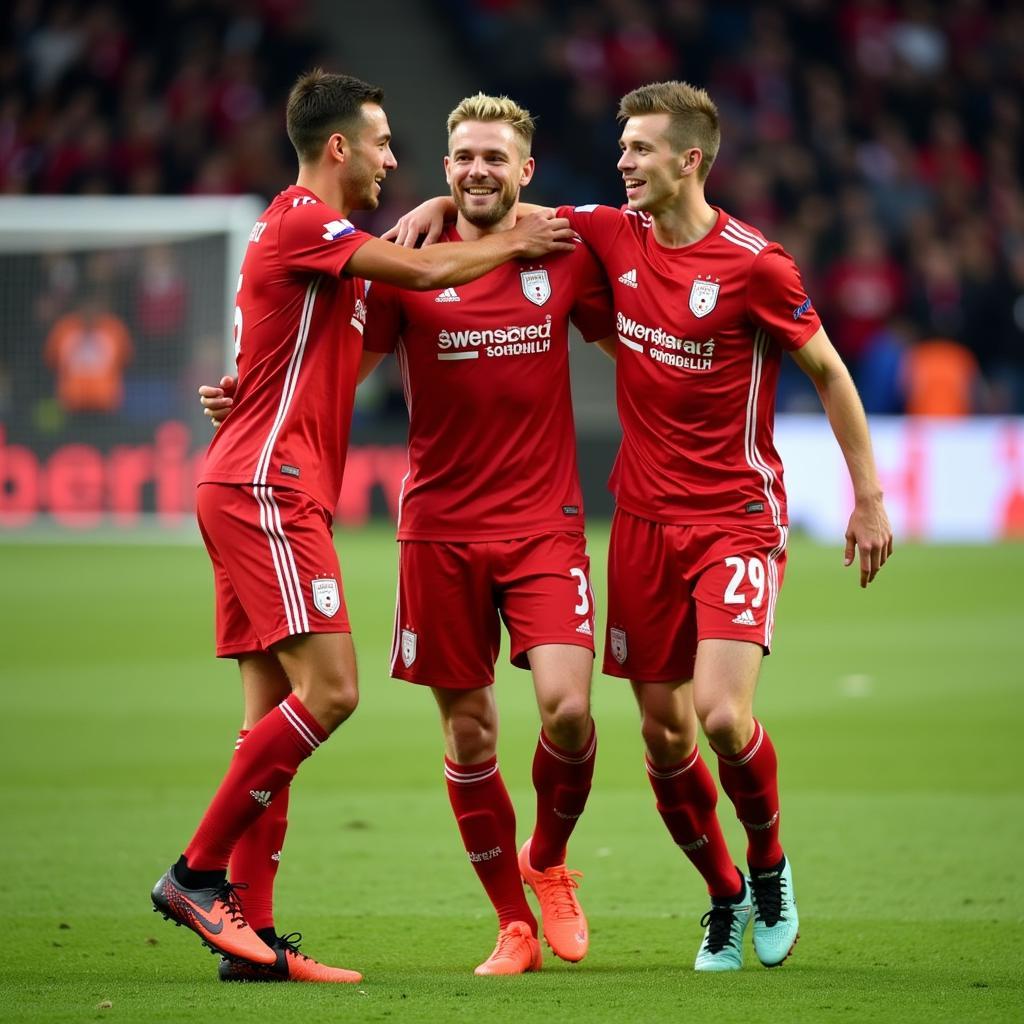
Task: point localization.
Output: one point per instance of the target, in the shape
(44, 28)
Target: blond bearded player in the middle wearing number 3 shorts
(492, 526)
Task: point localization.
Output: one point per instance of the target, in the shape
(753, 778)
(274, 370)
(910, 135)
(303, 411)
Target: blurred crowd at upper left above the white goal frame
(178, 97)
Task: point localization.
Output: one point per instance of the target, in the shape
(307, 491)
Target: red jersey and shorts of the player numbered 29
(699, 540)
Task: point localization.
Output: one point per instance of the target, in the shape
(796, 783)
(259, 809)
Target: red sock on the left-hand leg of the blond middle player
(487, 822)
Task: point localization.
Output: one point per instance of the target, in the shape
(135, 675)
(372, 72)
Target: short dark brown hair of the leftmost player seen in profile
(321, 105)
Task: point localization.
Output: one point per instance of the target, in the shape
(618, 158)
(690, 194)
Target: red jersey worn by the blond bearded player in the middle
(492, 444)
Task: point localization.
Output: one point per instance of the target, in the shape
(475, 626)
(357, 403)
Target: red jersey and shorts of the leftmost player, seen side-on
(298, 331)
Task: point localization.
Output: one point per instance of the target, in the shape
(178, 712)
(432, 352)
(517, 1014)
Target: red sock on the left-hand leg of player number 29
(687, 800)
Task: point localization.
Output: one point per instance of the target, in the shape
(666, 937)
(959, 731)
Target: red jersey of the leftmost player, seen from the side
(298, 327)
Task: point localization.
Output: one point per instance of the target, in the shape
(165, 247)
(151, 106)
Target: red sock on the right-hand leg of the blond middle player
(563, 781)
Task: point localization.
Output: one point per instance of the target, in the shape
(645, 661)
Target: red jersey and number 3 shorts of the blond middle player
(492, 516)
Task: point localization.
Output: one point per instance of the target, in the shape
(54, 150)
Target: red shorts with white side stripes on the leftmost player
(275, 568)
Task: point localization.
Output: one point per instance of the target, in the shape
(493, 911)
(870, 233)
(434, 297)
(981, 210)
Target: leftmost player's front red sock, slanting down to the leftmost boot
(263, 766)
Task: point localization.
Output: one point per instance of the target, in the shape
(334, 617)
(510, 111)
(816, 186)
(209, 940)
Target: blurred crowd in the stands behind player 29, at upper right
(881, 142)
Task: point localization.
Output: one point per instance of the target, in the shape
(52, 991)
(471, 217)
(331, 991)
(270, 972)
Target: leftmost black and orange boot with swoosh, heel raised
(215, 915)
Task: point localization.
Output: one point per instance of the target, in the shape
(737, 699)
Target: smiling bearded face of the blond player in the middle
(486, 168)
